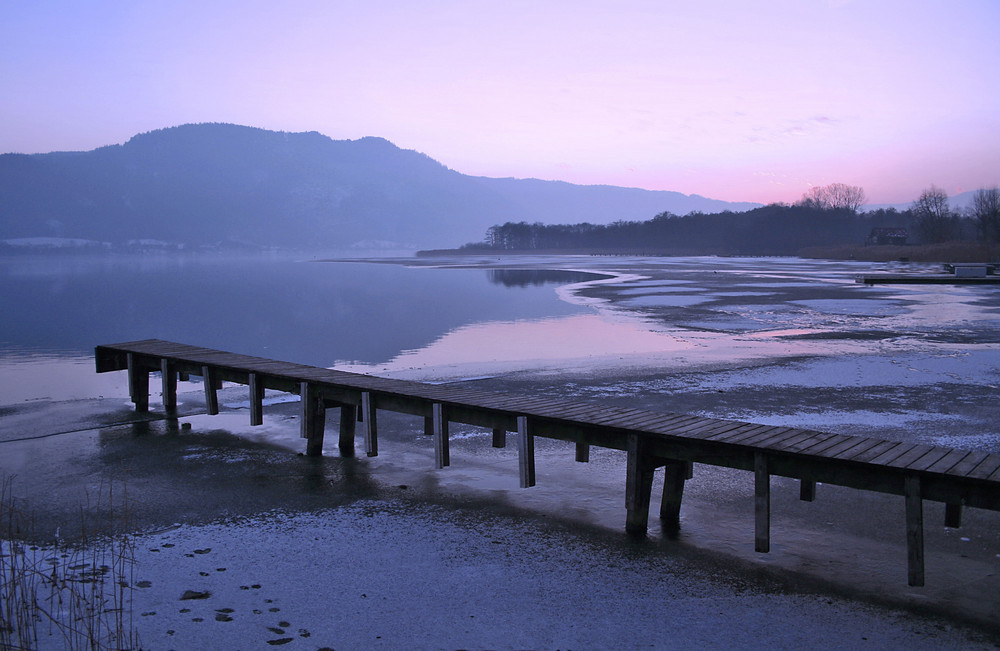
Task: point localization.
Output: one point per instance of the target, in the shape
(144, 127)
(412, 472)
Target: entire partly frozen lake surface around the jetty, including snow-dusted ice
(458, 556)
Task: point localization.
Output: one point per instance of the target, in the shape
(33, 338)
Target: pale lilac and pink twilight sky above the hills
(737, 100)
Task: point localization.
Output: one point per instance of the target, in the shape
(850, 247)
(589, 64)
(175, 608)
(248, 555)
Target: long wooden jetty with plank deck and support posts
(652, 439)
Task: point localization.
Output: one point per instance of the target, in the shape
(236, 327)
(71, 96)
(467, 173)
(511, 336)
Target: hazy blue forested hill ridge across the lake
(221, 185)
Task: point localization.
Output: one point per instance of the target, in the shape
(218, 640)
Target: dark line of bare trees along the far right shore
(826, 223)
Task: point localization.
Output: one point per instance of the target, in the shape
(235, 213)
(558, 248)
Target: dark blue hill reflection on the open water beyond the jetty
(301, 311)
